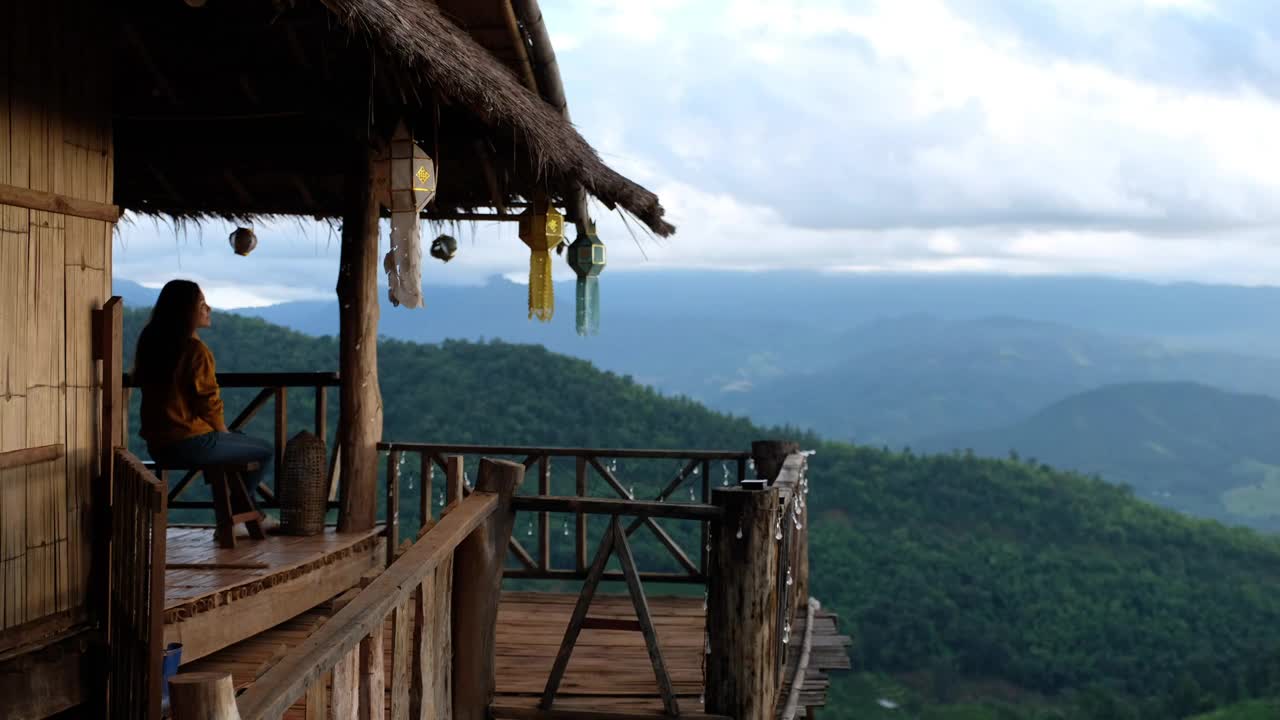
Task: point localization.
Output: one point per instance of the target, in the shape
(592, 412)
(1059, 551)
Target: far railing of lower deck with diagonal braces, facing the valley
(598, 467)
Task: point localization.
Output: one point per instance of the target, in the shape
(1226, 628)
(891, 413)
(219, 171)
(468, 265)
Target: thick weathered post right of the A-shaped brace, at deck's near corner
(743, 607)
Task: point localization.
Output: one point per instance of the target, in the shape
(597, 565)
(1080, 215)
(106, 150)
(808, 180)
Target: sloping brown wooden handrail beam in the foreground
(286, 682)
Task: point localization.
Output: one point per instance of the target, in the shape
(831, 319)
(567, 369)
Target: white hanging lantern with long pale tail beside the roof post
(408, 186)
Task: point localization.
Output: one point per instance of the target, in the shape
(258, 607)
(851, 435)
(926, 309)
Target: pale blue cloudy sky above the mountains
(1121, 138)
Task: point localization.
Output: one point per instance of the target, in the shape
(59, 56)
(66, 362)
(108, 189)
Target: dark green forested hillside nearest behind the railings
(981, 589)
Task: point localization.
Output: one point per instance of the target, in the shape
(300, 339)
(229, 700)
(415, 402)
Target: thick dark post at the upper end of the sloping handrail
(477, 591)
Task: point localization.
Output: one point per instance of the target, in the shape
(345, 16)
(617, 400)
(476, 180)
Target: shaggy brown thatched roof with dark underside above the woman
(245, 108)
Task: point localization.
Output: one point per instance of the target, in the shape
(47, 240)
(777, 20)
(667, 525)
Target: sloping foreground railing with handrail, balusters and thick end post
(441, 598)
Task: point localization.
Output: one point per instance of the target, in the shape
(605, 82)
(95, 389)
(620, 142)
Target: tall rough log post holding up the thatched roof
(358, 357)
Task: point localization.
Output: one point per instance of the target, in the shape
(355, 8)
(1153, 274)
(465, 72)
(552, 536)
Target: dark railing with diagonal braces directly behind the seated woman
(273, 388)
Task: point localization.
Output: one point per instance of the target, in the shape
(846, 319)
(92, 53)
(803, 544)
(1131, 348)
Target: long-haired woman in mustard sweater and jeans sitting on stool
(182, 412)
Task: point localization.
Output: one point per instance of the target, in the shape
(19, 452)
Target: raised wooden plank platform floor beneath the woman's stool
(211, 603)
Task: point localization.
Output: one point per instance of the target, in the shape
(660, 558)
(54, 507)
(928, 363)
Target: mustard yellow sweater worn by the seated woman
(188, 407)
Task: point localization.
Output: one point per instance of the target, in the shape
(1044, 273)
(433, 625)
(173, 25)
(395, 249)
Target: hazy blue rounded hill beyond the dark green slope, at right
(1187, 446)
